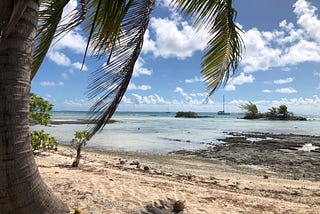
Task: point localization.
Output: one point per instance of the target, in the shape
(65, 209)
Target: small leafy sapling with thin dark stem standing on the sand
(80, 139)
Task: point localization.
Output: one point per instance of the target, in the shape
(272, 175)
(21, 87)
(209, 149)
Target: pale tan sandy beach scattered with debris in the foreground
(128, 182)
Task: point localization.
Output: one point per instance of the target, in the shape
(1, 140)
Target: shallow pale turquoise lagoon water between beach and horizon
(160, 132)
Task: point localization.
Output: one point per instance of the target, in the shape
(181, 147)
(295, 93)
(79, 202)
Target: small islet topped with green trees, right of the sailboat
(280, 113)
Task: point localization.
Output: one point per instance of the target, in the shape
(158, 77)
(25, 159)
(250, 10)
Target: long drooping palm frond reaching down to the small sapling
(122, 35)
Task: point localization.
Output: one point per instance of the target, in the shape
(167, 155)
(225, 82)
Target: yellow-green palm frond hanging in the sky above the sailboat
(223, 53)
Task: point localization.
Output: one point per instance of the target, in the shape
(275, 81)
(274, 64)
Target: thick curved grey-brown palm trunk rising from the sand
(21, 188)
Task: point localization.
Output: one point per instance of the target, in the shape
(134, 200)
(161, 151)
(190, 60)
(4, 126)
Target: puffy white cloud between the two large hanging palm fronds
(173, 38)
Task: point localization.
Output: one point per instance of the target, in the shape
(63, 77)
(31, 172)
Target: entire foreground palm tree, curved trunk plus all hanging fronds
(114, 30)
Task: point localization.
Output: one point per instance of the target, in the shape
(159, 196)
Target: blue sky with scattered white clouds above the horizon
(280, 65)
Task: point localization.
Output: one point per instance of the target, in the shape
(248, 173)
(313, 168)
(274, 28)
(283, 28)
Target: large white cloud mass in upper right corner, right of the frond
(289, 45)
